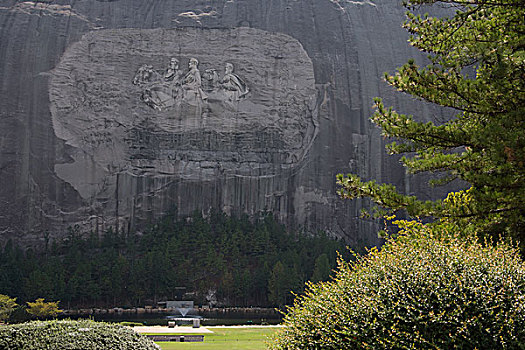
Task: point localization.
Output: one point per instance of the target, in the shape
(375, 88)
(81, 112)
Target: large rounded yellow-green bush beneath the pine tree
(426, 289)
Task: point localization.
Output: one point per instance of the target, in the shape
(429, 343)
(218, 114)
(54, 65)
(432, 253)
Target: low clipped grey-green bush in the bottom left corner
(85, 335)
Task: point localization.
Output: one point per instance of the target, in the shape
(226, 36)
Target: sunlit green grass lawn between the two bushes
(245, 338)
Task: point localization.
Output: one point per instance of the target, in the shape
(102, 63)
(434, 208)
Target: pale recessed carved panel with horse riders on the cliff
(130, 119)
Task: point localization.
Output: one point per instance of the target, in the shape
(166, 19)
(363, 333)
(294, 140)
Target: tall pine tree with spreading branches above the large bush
(484, 143)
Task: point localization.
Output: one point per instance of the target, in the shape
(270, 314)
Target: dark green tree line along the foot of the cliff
(242, 261)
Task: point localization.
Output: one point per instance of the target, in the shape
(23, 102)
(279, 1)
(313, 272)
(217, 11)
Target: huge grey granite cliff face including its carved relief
(119, 111)
